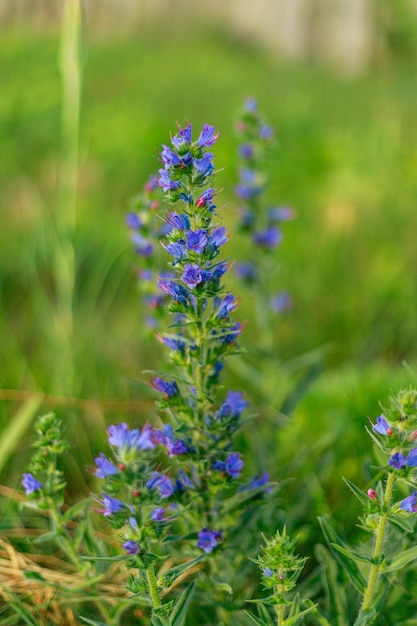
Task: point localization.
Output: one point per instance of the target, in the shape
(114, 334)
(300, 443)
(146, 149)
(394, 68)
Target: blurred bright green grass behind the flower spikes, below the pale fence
(346, 162)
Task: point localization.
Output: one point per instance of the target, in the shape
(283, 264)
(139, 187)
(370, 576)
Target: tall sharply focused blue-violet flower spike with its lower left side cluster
(202, 471)
